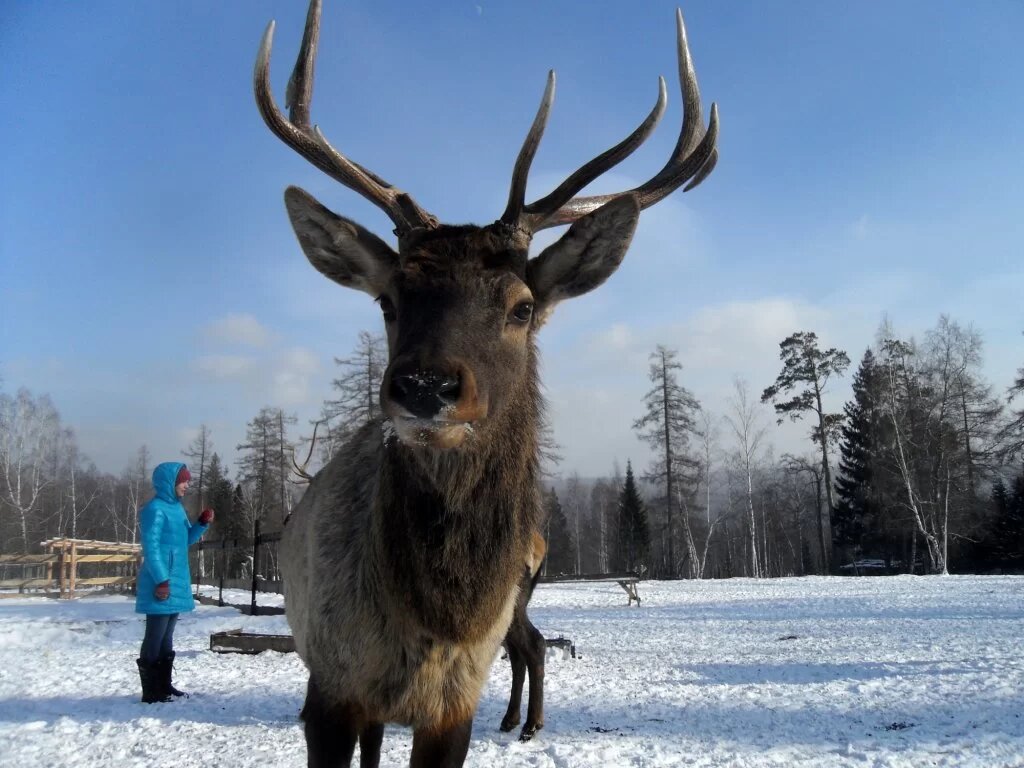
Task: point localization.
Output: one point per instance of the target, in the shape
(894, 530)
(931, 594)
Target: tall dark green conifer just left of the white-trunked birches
(858, 506)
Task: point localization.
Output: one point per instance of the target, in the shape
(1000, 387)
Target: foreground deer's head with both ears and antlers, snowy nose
(461, 305)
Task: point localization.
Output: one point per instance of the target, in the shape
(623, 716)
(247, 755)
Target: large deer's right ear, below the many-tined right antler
(584, 258)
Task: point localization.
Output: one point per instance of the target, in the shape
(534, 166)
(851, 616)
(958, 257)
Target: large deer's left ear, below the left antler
(339, 248)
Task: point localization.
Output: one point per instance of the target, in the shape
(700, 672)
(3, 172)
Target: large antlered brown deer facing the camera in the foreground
(404, 560)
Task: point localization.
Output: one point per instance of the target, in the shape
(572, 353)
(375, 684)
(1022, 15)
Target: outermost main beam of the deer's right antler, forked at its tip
(693, 160)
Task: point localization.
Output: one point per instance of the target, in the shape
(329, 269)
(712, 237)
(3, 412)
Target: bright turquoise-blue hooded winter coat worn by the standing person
(166, 536)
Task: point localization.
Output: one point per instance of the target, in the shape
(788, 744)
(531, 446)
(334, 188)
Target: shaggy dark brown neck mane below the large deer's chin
(454, 527)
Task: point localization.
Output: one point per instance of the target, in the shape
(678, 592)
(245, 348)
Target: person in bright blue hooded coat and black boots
(164, 589)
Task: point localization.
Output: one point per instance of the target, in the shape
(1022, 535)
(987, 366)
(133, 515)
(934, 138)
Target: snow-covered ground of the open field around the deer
(898, 671)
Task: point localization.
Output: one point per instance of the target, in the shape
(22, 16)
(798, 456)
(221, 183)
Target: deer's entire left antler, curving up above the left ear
(297, 133)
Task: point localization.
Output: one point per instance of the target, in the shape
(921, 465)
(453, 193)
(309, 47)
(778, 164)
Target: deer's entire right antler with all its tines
(693, 160)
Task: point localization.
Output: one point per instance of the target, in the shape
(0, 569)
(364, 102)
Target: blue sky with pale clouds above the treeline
(872, 158)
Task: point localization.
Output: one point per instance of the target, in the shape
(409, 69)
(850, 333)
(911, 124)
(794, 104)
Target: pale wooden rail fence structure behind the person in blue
(70, 565)
